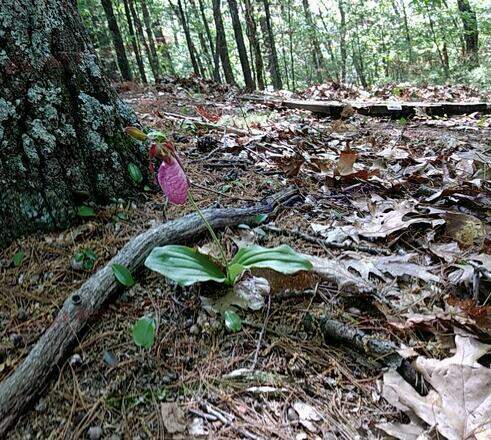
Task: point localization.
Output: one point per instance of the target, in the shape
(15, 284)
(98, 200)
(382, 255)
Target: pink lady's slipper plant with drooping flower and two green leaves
(186, 266)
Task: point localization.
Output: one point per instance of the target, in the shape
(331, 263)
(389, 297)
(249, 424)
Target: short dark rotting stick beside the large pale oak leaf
(384, 352)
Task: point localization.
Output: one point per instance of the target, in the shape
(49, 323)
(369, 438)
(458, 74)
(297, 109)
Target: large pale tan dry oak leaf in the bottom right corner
(458, 406)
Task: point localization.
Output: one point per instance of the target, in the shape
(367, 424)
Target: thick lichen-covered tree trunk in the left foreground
(61, 124)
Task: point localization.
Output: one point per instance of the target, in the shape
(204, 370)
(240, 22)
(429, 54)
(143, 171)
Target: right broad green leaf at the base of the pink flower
(281, 259)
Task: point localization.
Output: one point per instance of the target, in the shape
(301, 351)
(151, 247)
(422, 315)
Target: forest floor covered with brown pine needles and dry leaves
(401, 206)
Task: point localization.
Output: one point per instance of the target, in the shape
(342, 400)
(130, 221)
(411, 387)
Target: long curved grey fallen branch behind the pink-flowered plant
(19, 389)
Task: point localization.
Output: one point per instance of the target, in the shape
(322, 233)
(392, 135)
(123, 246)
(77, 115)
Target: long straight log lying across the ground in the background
(391, 109)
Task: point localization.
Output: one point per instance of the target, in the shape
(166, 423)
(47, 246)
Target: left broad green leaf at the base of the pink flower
(183, 265)
